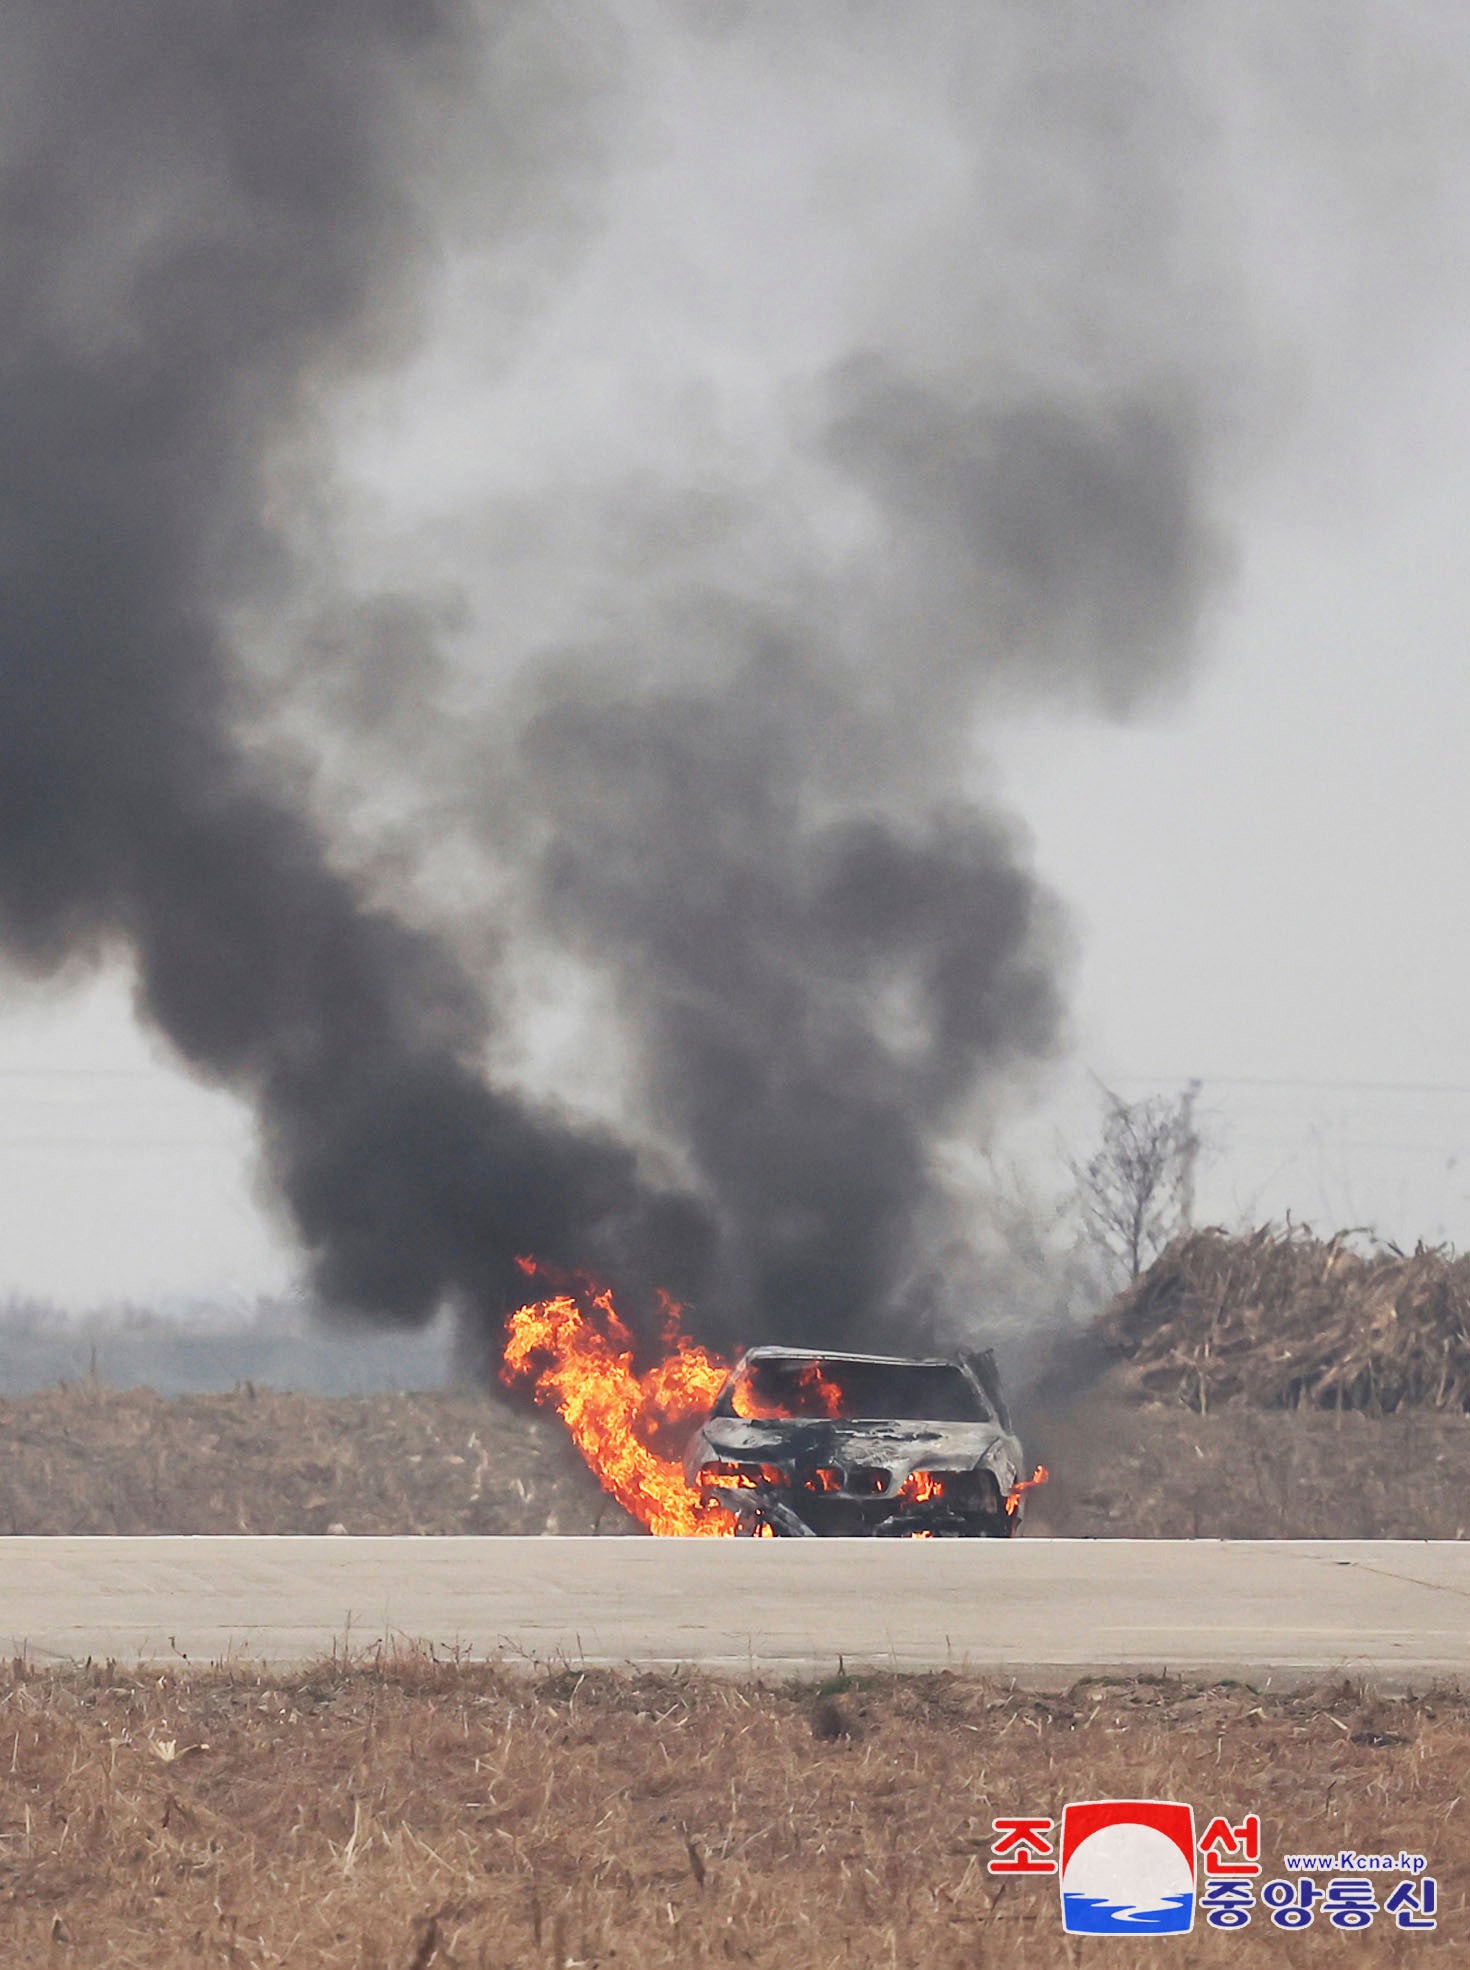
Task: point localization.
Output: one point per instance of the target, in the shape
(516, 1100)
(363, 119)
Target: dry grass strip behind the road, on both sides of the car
(101, 1461)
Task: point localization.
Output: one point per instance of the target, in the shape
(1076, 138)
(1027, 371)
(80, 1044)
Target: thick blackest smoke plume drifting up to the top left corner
(208, 218)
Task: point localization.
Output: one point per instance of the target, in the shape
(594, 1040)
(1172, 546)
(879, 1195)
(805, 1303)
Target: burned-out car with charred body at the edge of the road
(811, 1445)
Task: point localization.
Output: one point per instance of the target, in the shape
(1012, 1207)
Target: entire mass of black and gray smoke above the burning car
(728, 750)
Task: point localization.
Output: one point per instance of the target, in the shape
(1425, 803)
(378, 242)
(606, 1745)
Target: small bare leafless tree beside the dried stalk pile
(1138, 1189)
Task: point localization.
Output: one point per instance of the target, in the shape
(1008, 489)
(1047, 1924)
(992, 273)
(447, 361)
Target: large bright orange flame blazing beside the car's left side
(578, 1356)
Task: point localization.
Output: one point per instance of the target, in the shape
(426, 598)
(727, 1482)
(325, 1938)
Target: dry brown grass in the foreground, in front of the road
(421, 1815)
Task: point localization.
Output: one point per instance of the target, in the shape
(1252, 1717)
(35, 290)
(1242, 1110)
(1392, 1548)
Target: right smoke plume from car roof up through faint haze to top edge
(744, 787)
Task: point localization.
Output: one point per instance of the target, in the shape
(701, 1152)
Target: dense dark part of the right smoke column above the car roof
(825, 949)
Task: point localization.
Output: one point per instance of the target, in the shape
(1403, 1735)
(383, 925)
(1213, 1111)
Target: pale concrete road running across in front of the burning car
(1041, 1610)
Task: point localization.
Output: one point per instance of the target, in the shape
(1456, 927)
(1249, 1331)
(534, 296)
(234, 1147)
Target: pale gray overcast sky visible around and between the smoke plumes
(1264, 862)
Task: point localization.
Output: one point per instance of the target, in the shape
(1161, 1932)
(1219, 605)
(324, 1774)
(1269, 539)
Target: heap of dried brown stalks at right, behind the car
(1288, 1321)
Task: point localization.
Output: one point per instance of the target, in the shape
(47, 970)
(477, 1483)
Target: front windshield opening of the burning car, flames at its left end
(868, 1392)
